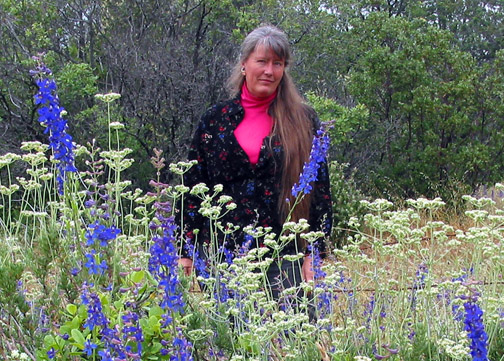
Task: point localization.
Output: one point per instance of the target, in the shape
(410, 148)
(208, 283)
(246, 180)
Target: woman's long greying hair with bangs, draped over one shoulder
(292, 123)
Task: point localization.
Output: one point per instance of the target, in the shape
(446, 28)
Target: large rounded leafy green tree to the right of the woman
(426, 124)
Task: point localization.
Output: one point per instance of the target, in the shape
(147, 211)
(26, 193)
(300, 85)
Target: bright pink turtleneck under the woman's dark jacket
(256, 123)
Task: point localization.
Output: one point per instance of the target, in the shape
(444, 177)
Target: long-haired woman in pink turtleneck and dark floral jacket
(255, 145)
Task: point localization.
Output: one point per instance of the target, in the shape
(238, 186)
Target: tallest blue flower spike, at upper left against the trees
(51, 116)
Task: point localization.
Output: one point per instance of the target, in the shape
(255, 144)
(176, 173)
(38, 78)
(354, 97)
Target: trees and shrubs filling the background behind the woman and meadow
(421, 82)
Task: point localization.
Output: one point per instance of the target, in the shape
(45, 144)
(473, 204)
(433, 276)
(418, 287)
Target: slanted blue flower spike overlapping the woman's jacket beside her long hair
(320, 147)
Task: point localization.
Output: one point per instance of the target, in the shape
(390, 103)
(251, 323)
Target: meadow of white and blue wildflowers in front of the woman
(88, 267)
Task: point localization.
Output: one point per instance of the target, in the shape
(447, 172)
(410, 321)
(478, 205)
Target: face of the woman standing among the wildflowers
(263, 71)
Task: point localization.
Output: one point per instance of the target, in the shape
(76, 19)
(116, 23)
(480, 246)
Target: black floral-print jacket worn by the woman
(254, 188)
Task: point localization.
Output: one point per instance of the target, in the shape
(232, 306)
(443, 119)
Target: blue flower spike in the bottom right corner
(473, 324)
